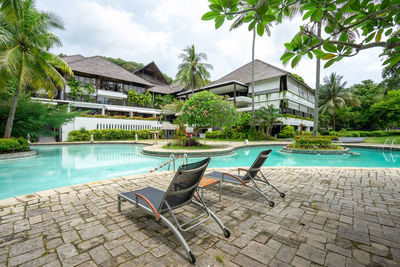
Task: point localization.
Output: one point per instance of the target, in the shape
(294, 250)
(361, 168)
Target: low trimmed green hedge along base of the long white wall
(109, 135)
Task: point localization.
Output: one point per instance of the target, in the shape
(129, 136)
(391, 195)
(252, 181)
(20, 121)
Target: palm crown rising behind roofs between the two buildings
(192, 72)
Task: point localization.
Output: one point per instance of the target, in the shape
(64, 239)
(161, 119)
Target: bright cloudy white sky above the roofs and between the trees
(158, 30)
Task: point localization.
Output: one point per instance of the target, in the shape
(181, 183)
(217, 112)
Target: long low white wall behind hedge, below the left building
(105, 123)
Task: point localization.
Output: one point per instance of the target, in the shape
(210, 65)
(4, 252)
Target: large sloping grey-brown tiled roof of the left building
(100, 66)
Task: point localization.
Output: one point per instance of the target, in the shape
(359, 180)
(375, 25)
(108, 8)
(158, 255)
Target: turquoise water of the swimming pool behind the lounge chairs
(57, 166)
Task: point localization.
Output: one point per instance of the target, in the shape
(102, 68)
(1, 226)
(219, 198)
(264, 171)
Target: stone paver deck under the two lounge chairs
(330, 217)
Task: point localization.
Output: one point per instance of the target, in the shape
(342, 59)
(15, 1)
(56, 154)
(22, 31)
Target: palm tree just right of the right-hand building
(334, 94)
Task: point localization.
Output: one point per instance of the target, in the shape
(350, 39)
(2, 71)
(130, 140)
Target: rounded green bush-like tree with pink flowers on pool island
(205, 110)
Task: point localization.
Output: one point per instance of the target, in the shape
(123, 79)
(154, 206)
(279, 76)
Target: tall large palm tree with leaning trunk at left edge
(25, 38)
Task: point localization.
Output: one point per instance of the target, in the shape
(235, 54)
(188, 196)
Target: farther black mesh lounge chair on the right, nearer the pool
(253, 175)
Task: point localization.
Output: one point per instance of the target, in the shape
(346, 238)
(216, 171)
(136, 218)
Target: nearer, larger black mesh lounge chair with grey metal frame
(181, 191)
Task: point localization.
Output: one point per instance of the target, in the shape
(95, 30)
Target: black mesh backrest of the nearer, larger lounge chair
(184, 185)
